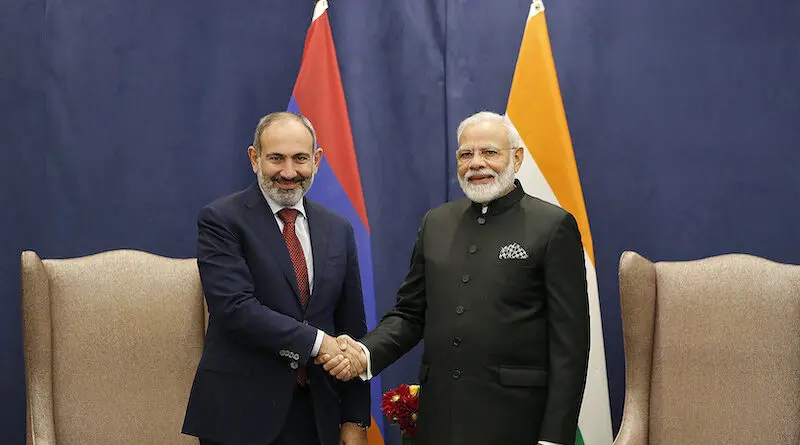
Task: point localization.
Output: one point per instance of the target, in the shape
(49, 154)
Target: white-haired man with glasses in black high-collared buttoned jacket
(497, 289)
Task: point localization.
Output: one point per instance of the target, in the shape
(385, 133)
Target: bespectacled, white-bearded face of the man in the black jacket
(486, 162)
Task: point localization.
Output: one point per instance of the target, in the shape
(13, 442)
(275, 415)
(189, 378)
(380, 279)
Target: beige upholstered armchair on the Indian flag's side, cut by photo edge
(712, 351)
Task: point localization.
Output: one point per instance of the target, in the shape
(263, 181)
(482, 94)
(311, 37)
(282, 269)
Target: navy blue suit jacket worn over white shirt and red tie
(258, 333)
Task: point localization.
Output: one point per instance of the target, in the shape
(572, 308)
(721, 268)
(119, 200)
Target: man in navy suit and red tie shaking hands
(281, 278)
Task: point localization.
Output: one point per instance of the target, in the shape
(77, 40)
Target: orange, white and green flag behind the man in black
(549, 172)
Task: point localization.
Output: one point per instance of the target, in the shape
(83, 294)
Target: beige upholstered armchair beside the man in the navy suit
(111, 345)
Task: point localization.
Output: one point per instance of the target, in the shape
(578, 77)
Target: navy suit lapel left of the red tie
(273, 236)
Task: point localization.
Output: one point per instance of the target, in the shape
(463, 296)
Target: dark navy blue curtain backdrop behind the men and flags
(118, 120)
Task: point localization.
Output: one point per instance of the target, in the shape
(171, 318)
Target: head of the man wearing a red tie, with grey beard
(285, 160)
